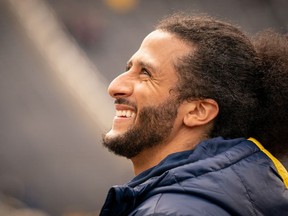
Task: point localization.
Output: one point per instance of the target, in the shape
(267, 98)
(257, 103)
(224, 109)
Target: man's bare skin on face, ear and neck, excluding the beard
(149, 81)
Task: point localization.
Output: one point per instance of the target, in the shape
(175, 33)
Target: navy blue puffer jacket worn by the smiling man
(219, 177)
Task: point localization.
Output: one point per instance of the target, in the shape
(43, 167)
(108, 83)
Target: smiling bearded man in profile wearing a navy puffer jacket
(190, 98)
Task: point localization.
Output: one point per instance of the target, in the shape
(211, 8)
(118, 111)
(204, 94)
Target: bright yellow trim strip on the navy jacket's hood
(280, 168)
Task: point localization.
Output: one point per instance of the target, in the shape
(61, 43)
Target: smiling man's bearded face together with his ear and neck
(148, 113)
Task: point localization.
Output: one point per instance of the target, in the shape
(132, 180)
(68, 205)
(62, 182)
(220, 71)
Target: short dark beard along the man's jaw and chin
(155, 123)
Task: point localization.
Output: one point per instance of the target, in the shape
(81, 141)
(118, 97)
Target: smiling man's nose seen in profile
(121, 86)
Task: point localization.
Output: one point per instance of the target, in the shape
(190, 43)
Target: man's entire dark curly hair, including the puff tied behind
(247, 79)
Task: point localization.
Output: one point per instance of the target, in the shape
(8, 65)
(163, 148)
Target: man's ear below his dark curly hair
(200, 112)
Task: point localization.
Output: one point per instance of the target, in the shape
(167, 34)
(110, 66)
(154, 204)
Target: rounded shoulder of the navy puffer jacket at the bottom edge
(178, 204)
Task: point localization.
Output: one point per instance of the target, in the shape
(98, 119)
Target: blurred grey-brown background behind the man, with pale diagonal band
(57, 58)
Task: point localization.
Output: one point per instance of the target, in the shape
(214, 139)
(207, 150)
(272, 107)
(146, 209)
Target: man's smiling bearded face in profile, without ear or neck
(146, 96)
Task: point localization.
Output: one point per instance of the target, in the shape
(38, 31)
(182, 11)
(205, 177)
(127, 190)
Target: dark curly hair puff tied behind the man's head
(272, 129)
